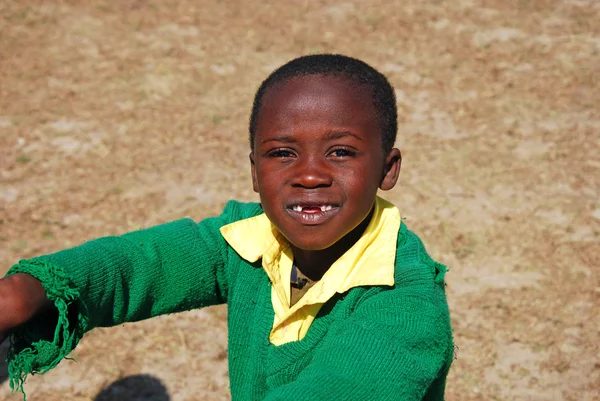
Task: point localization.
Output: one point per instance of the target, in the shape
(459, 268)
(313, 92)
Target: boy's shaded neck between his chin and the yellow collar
(314, 264)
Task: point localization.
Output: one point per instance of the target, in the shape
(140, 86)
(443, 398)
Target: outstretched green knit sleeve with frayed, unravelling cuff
(108, 281)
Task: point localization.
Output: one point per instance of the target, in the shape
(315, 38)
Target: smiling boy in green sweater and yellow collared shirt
(329, 295)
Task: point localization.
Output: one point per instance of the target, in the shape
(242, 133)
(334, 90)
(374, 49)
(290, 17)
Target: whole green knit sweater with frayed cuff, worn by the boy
(370, 343)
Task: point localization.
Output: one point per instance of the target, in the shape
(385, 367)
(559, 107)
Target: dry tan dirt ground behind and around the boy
(116, 115)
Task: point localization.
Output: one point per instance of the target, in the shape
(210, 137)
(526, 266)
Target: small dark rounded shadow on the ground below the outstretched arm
(134, 388)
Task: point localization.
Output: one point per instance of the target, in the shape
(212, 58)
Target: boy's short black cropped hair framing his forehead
(384, 98)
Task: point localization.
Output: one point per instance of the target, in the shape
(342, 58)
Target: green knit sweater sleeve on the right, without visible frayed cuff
(397, 345)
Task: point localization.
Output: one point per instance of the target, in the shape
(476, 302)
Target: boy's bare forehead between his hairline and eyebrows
(319, 99)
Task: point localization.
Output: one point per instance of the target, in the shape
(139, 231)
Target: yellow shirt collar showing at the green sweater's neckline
(370, 261)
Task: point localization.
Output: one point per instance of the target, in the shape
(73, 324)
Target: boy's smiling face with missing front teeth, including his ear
(317, 159)
